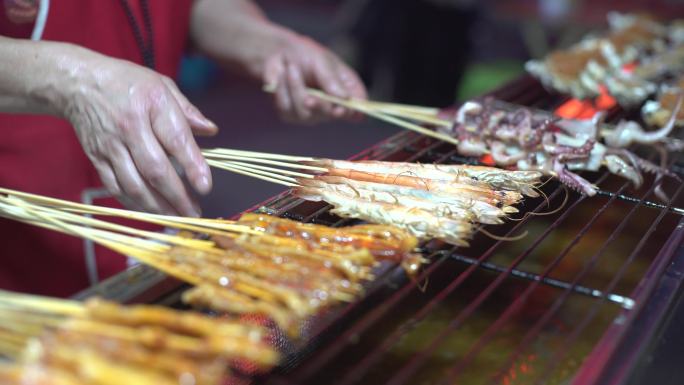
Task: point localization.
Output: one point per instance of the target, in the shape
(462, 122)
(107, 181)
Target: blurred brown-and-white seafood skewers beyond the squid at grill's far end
(650, 48)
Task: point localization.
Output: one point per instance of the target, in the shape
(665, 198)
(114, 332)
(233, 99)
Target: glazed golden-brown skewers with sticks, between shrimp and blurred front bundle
(277, 268)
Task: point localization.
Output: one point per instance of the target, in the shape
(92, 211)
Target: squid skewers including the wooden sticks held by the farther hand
(525, 139)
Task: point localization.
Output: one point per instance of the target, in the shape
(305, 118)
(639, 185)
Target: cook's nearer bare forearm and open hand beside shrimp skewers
(128, 118)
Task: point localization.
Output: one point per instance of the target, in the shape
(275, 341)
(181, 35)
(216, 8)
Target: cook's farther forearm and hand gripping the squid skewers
(238, 34)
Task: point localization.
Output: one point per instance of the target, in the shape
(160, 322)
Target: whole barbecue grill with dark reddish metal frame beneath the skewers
(579, 299)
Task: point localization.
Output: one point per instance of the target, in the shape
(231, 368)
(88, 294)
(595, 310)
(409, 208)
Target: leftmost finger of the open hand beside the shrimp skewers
(133, 187)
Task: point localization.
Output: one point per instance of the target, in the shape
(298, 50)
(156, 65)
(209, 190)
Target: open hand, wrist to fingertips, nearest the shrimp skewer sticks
(131, 121)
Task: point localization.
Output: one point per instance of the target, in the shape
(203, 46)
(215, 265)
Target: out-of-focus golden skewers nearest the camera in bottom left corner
(48, 341)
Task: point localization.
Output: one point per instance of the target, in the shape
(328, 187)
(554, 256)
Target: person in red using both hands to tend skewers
(89, 100)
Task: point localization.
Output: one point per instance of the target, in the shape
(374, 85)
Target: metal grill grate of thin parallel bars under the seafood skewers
(344, 357)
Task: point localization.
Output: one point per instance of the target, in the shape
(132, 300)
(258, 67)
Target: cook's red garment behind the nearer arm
(42, 155)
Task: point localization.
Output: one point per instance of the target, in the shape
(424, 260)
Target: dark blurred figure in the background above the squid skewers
(412, 51)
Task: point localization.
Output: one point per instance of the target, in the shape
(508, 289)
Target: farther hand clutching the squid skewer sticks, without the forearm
(299, 62)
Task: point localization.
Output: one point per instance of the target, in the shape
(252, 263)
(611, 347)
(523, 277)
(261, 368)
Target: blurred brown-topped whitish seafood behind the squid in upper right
(582, 69)
